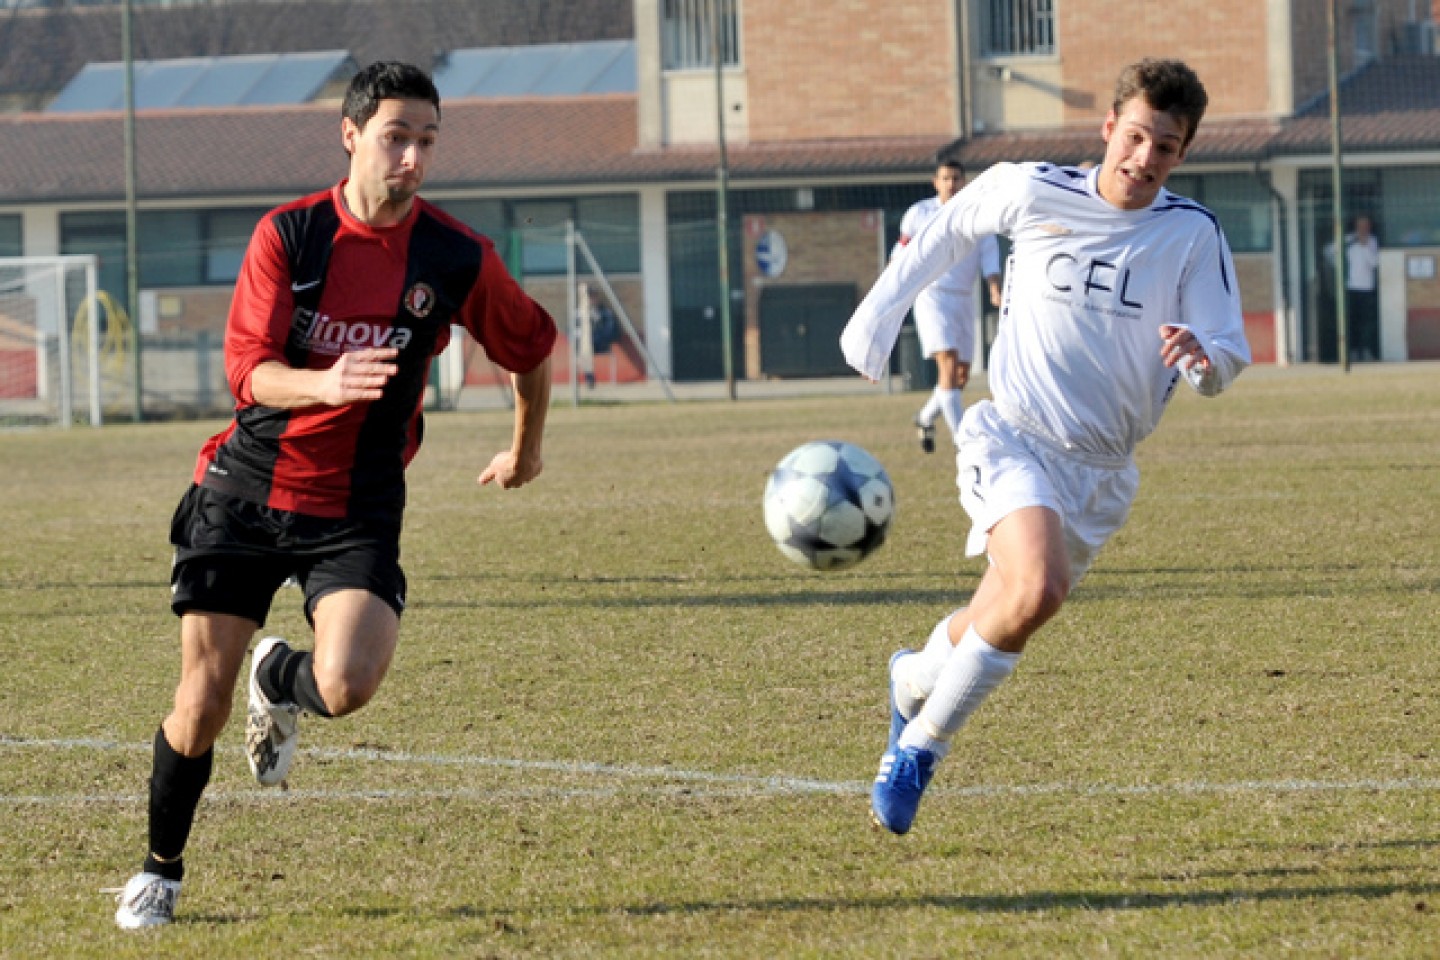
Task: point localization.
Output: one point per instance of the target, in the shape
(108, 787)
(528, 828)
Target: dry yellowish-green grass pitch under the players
(621, 725)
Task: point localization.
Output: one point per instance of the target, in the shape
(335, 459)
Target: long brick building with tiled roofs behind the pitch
(833, 112)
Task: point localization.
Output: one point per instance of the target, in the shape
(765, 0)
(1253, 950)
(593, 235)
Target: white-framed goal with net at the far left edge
(50, 342)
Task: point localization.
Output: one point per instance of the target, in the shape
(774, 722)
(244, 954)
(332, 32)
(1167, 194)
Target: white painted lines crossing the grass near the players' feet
(679, 784)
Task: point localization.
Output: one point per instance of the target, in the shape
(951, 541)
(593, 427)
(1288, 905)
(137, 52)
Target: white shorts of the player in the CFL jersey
(1003, 468)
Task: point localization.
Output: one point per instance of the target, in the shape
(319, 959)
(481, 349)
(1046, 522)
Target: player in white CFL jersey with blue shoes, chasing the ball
(1117, 290)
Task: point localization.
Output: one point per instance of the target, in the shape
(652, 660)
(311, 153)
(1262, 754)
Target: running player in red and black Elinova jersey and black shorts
(342, 304)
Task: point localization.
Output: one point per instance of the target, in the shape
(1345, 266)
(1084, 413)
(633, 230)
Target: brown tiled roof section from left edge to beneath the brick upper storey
(486, 145)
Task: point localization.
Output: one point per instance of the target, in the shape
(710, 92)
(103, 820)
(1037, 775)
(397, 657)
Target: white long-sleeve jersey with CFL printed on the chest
(1078, 356)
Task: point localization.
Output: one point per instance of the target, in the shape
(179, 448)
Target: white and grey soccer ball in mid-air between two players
(829, 504)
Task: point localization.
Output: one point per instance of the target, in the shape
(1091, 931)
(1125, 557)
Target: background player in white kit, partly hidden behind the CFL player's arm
(945, 310)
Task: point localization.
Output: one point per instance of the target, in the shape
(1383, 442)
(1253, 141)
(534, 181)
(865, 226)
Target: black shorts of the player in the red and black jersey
(234, 555)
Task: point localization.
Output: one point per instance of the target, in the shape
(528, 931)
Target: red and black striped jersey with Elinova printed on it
(318, 283)
